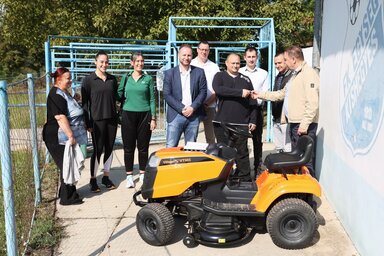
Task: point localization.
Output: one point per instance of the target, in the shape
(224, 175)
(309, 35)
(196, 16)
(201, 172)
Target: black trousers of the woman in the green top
(135, 131)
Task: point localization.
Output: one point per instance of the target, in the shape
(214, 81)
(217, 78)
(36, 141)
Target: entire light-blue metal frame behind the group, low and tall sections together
(77, 53)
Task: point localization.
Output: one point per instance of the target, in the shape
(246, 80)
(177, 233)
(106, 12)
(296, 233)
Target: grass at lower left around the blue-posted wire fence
(45, 233)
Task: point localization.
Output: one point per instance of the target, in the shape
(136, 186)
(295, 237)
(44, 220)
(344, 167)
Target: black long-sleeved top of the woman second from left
(98, 98)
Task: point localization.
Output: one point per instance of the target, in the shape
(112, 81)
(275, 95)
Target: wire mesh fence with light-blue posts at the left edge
(20, 145)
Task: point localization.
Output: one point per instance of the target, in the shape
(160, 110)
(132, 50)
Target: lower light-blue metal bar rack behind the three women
(78, 53)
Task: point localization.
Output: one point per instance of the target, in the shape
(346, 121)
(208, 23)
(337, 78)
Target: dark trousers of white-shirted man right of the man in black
(257, 135)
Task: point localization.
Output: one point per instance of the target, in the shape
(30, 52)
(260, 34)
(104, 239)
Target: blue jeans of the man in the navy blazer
(179, 125)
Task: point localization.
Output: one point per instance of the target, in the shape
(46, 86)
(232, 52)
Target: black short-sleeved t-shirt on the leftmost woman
(56, 105)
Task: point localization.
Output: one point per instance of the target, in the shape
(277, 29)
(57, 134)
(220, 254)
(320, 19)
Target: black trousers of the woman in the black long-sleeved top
(103, 139)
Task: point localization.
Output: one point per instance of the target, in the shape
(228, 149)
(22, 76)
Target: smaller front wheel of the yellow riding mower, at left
(155, 224)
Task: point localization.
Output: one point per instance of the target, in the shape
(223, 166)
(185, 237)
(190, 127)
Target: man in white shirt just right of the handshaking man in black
(260, 81)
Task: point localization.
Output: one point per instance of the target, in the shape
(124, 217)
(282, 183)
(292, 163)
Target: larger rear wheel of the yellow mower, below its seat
(292, 224)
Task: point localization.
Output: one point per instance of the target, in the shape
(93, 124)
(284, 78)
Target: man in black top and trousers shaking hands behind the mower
(236, 108)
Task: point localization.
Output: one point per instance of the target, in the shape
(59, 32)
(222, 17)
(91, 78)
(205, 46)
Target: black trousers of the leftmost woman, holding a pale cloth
(67, 193)
